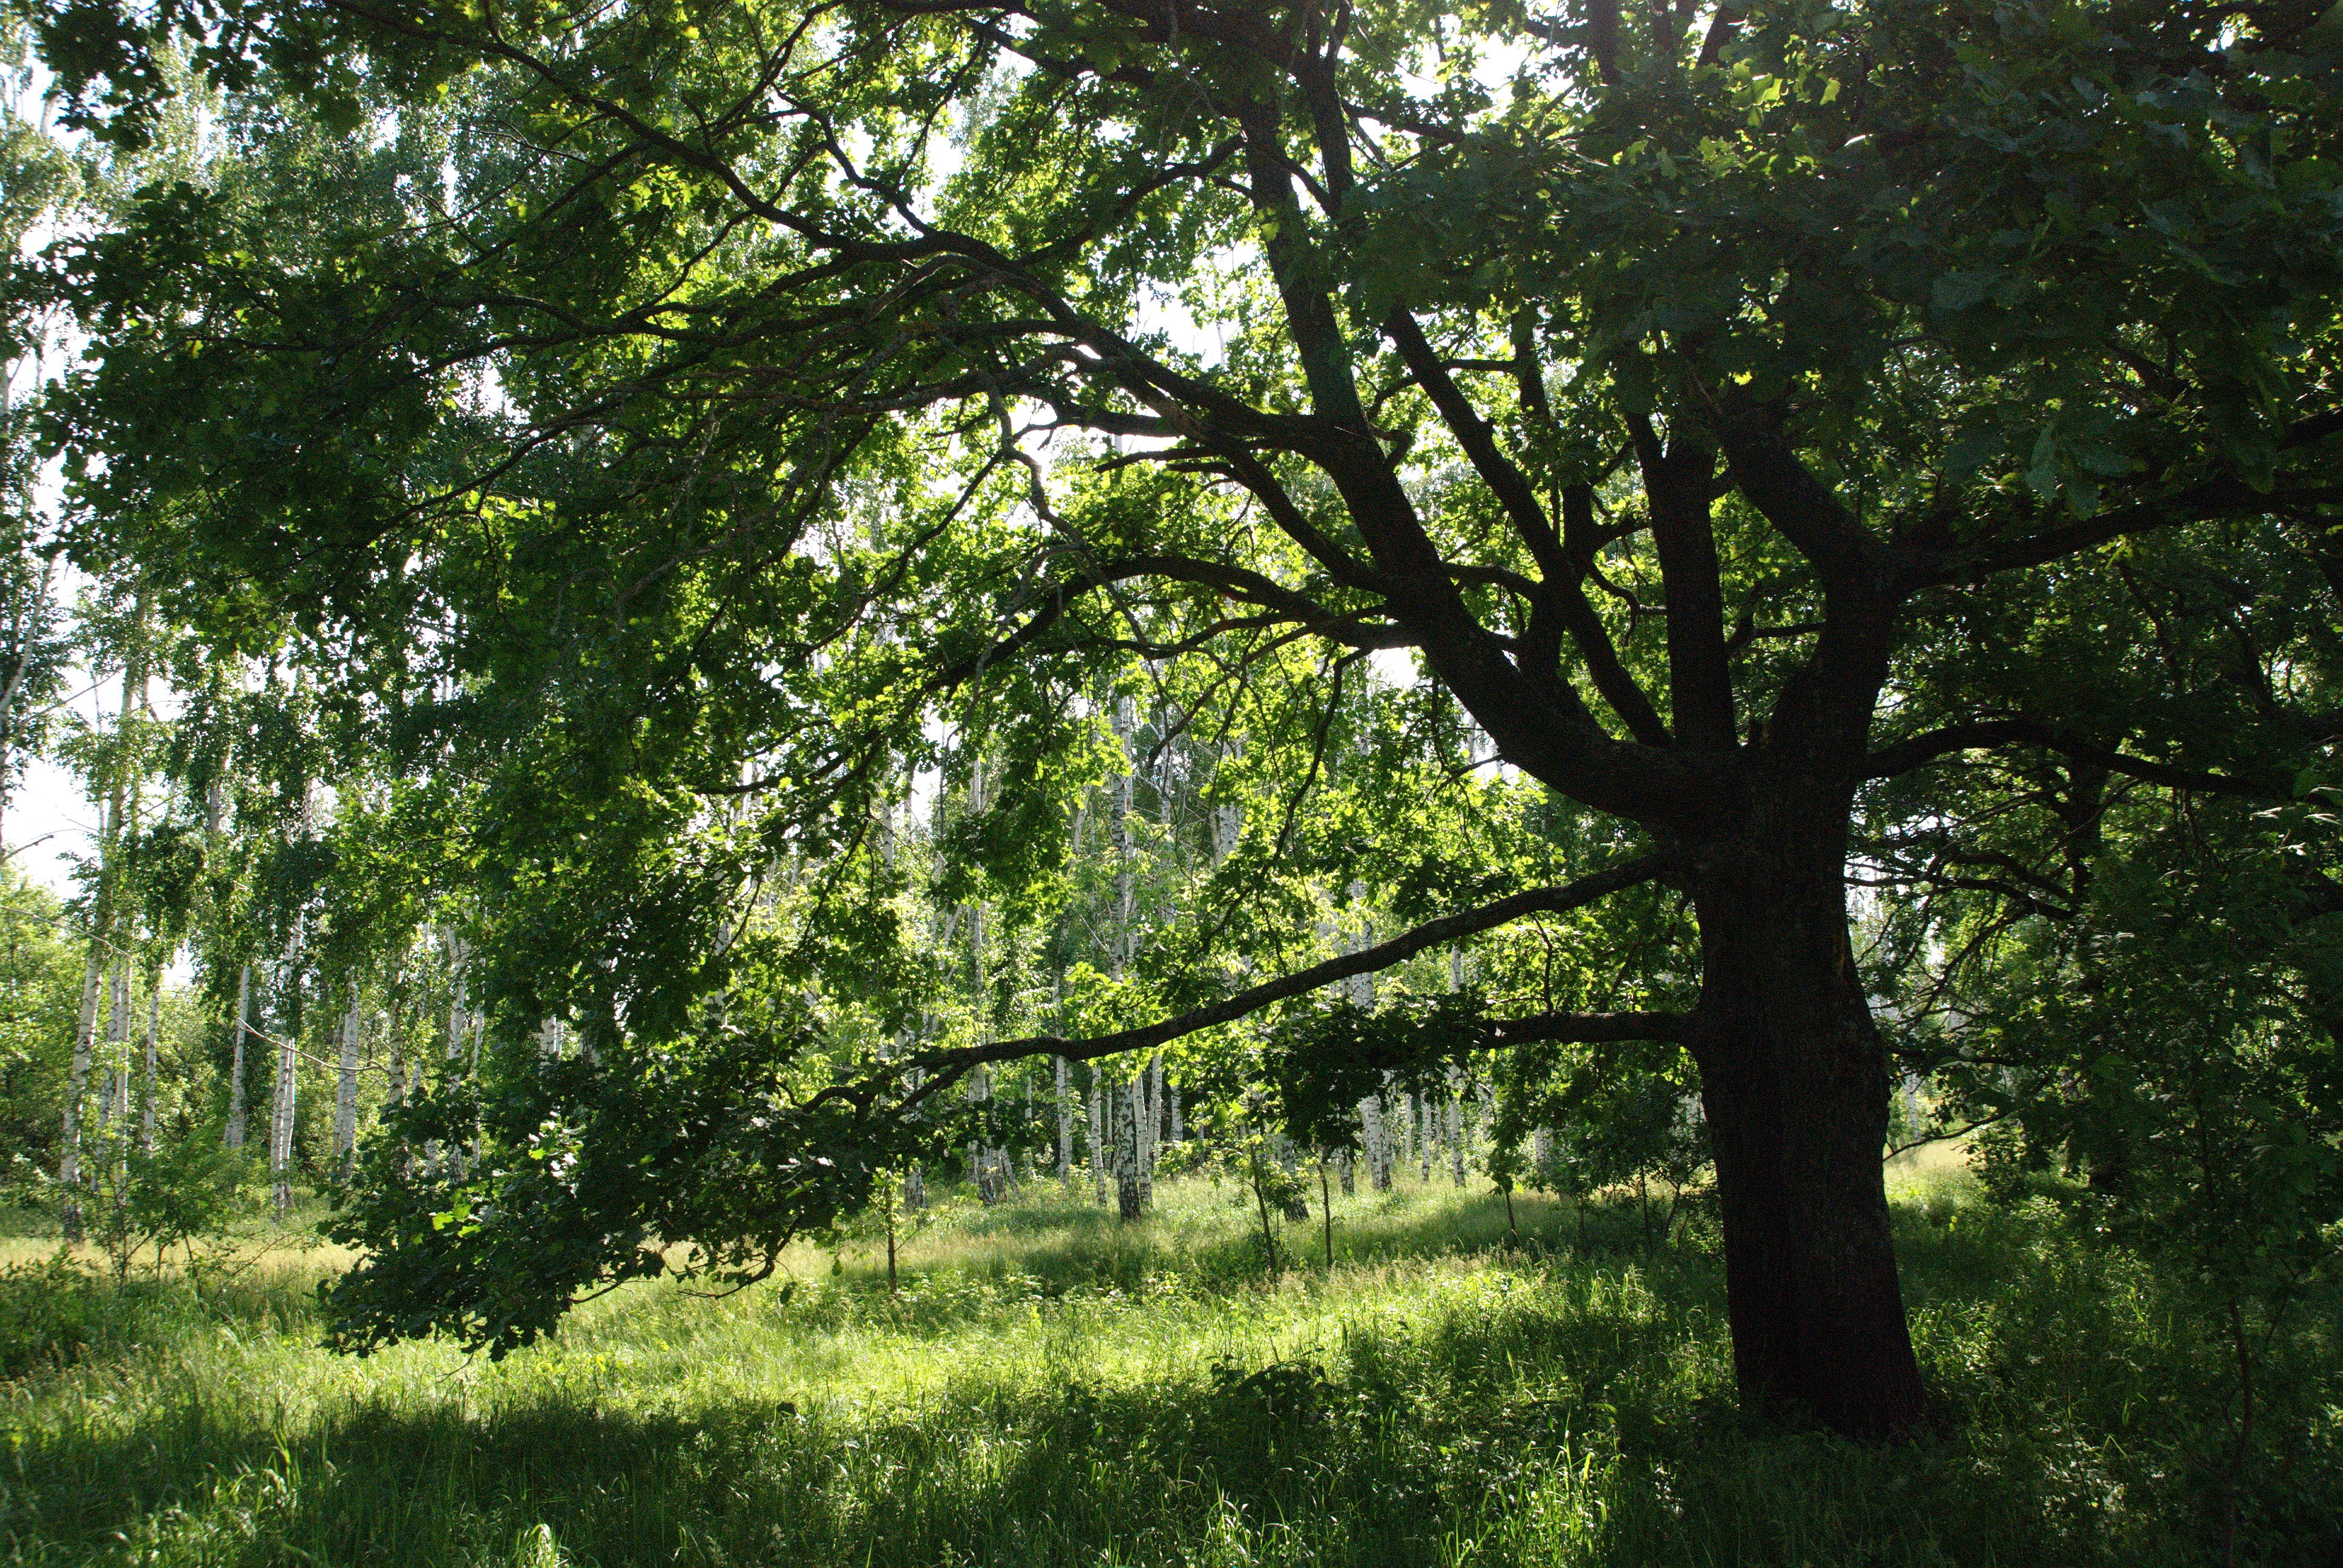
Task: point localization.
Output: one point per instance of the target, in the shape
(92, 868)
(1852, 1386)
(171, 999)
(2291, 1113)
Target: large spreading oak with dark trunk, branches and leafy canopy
(1730, 409)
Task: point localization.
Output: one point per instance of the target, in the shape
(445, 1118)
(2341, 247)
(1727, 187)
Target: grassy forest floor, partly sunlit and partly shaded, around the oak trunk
(1056, 1389)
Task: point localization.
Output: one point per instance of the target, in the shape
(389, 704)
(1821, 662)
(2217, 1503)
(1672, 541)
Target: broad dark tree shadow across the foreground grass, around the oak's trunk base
(1541, 1410)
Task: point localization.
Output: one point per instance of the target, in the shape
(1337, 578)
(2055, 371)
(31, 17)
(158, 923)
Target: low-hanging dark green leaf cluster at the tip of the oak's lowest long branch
(489, 1213)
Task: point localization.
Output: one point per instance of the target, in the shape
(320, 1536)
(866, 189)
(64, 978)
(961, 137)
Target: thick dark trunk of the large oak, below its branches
(1796, 1089)
